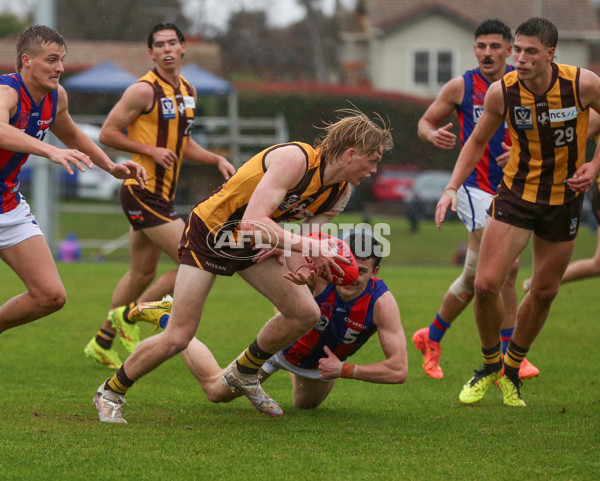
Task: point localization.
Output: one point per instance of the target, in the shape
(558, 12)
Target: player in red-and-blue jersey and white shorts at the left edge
(32, 103)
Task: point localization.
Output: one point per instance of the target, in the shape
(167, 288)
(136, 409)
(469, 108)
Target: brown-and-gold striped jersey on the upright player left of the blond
(167, 124)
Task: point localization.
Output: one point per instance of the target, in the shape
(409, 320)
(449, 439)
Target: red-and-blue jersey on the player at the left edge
(31, 118)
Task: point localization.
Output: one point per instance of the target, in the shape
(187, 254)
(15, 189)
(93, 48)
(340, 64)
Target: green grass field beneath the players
(416, 431)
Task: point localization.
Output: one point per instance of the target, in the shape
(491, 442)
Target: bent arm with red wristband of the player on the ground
(394, 368)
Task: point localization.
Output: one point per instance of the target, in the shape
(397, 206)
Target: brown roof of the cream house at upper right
(574, 18)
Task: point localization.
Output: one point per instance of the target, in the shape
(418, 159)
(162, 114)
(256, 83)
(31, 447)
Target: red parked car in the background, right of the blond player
(394, 182)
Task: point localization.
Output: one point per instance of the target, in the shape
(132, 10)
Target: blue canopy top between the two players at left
(104, 77)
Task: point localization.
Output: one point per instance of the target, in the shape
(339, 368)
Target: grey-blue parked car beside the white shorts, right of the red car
(426, 192)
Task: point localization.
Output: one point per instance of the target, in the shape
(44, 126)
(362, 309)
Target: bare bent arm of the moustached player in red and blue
(445, 104)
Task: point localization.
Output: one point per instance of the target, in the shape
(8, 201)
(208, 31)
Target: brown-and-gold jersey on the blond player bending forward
(227, 204)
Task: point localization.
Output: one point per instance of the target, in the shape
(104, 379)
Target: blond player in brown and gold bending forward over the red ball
(285, 182)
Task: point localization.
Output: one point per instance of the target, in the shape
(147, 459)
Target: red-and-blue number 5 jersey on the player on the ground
(344, 326)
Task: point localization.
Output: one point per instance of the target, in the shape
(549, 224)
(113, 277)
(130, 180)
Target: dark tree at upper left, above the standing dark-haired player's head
(115, 19)
